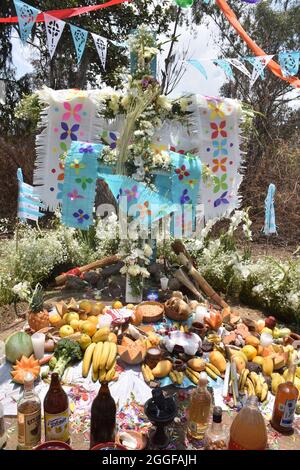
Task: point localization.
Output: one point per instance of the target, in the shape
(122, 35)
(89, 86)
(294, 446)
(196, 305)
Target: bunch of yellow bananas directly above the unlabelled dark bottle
(102, 357)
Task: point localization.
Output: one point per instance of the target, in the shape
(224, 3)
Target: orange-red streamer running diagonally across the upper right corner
(272, 65)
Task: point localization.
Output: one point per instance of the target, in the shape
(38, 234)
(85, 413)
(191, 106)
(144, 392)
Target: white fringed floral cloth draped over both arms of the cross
(212, 133)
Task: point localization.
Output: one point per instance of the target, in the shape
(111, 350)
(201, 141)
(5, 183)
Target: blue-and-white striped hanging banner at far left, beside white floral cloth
(28, 203)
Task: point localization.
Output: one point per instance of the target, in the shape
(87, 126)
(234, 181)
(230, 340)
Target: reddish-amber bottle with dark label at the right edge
(285, 403)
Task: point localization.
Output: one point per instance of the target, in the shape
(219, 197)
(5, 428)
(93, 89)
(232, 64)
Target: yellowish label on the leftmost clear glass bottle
(29, 429)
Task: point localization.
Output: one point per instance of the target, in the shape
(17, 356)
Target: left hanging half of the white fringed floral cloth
(69, 115)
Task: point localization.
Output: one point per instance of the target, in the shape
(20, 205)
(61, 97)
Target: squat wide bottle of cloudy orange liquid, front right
(248, 430)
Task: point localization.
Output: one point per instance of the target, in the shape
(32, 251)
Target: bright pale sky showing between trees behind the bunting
(201, 47)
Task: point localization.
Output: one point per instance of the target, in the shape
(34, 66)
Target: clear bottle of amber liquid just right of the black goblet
(199, 409)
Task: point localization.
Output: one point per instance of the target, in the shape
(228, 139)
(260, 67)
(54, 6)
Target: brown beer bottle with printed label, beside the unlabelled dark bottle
(56, 412)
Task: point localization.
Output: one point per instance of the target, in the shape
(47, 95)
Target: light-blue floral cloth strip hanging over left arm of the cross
(80, 184)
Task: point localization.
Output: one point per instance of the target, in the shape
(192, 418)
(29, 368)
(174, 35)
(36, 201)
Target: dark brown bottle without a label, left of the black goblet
(103, 417)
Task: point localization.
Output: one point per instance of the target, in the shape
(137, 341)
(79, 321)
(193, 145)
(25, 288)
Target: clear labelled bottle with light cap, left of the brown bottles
(29, 416)
